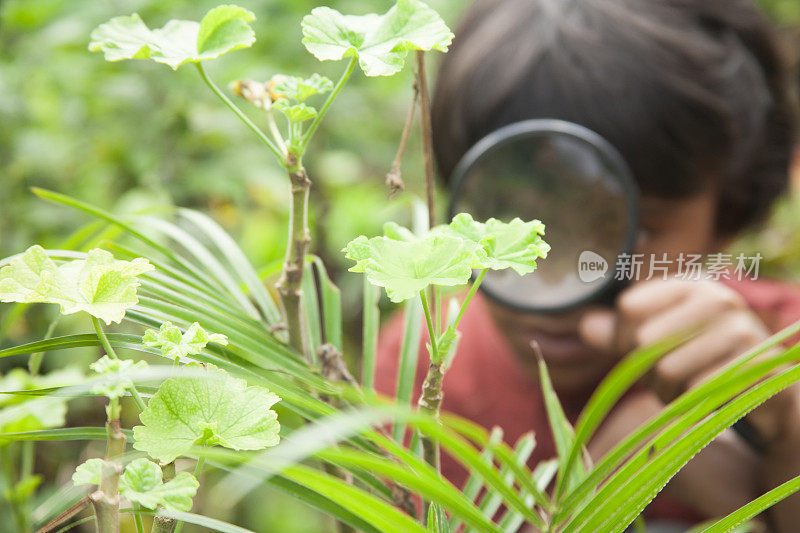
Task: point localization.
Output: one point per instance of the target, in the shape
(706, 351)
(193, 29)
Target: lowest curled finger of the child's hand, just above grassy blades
(693, 361)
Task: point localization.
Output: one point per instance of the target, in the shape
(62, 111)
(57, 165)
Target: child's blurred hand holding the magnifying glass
(653, 310)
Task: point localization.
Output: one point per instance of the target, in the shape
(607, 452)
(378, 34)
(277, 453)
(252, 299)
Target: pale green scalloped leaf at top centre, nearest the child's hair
(380, 42)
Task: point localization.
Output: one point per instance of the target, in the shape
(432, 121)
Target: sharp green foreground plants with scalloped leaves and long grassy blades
(325, 441)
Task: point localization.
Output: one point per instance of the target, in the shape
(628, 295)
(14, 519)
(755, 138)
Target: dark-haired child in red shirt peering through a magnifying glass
(696, 97)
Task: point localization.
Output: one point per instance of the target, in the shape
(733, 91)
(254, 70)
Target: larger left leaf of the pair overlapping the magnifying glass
(404, 268)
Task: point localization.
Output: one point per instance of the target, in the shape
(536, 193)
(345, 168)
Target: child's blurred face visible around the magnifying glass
(667, 226)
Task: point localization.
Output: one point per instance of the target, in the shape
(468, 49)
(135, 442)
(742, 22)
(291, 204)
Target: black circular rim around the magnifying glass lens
(538, 127)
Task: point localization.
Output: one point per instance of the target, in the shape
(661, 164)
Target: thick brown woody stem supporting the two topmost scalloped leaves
(289, 286)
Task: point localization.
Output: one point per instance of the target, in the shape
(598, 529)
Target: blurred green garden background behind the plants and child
(135, 135)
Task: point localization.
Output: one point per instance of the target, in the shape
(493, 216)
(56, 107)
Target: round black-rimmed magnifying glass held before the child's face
(574, 181)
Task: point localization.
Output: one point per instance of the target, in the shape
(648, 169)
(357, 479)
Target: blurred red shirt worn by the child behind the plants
(486, 384)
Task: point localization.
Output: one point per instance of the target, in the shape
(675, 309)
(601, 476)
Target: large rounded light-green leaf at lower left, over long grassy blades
(215, 409)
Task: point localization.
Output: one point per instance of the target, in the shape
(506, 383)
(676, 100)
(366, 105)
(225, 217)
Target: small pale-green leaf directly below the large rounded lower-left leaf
(142, 483)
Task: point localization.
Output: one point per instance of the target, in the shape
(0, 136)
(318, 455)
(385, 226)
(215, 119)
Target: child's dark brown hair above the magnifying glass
(692, 92)
